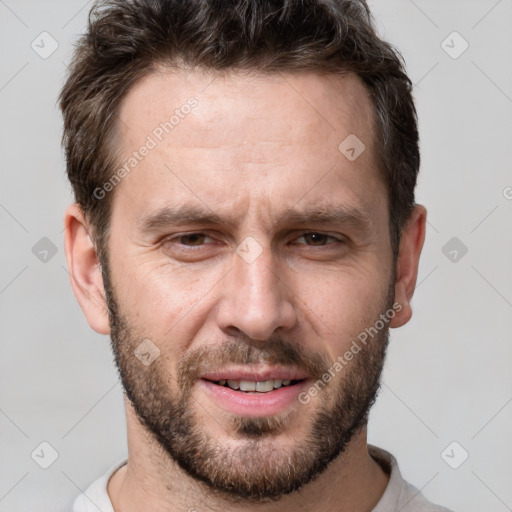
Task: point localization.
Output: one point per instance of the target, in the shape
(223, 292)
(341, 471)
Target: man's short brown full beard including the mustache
(257, 468)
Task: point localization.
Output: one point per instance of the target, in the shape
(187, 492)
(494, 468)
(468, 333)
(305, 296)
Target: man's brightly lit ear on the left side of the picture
(85, 270)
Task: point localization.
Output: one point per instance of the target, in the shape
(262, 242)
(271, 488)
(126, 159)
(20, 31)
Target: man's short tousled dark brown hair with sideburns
(127, 39)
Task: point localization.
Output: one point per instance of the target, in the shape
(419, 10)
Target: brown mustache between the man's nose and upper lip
(241, 352)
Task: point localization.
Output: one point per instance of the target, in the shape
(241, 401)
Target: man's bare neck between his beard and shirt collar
(151, 480)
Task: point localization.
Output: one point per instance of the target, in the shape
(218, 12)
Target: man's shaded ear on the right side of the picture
(411, 244)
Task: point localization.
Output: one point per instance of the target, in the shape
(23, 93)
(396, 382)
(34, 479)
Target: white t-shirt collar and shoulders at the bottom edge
(398, 496)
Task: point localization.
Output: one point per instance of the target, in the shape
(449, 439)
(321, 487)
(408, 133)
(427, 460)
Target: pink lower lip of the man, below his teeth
(253, 404)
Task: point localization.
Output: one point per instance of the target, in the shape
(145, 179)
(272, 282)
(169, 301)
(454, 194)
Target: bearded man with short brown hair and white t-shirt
(245, 231)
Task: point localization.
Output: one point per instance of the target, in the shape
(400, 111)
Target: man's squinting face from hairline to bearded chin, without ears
(246, 255)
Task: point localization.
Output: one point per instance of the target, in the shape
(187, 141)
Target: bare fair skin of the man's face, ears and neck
(254, 145)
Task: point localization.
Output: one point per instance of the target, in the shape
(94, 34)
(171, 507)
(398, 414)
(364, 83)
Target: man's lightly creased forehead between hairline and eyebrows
(247, 137)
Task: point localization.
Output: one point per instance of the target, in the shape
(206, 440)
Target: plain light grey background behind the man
(448, 373)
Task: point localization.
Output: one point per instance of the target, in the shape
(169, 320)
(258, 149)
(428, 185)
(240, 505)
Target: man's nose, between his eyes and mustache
(254, 300)
